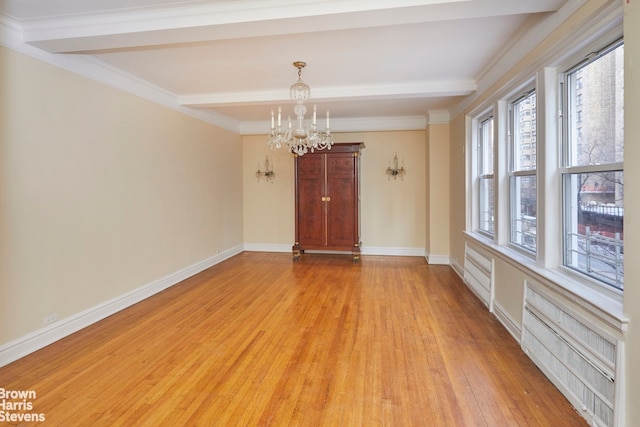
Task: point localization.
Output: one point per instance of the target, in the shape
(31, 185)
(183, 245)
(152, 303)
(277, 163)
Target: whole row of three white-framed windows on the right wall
(556, 202)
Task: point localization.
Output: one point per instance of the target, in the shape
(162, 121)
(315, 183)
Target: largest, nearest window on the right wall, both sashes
(592, 178)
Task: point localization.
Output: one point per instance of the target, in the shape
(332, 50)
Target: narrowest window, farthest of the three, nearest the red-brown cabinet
(485, 177)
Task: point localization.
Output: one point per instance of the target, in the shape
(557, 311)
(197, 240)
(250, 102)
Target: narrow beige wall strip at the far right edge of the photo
(632, 208)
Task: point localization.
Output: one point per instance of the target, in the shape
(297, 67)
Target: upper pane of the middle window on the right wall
(524, 133)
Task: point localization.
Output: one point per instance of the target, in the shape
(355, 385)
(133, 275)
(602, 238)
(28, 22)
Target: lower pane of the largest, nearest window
(594, 239)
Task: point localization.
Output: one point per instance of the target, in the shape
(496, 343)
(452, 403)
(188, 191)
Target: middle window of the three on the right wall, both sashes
(522, 172)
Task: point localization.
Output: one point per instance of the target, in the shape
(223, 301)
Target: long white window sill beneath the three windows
(602, 303)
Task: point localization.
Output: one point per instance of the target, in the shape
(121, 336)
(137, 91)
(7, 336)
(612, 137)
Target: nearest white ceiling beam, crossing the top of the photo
(207, 21)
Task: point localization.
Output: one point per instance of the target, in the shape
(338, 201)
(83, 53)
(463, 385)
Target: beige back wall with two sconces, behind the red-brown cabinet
(393, 211)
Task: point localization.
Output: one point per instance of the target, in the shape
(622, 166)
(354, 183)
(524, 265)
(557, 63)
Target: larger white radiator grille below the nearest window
(578, 359)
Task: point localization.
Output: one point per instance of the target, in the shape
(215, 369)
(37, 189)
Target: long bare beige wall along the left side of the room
(102, 192)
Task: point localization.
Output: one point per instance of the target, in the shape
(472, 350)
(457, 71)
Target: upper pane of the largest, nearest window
(595, 97)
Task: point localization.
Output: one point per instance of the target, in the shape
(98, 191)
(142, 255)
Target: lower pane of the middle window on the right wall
(523, 211)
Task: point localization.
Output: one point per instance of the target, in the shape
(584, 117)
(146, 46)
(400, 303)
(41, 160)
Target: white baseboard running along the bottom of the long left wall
(41, 338)
